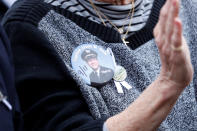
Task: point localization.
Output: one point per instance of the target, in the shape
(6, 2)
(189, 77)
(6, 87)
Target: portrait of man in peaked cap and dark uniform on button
(100, 74)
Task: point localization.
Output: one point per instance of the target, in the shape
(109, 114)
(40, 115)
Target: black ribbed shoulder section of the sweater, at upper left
(30, 11)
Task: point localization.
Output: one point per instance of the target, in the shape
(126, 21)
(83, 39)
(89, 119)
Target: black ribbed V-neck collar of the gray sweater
(110, 35)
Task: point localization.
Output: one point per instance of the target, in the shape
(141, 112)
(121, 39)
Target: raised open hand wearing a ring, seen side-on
(174, 52)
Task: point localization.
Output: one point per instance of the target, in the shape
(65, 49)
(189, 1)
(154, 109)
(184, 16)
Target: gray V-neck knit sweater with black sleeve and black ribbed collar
(48, 36)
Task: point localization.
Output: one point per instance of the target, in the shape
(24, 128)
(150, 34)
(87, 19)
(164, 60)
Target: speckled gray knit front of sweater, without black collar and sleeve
(141, 63)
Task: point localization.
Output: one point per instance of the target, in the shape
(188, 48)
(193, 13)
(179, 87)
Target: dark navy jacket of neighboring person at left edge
(10, 119)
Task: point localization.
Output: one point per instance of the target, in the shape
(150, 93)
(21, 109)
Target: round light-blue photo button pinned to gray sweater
(93, 63)
